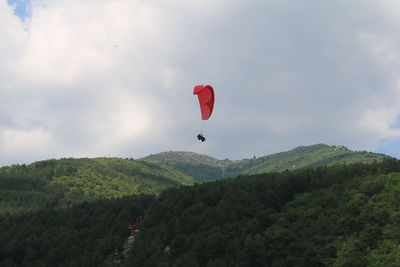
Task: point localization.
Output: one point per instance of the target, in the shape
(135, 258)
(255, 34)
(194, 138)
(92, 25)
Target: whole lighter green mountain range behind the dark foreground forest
(65, 182)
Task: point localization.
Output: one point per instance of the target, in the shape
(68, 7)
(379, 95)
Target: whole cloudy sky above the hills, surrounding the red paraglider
(94, 78)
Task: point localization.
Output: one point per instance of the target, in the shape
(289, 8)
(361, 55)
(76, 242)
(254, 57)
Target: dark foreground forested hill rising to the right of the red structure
(342, 215)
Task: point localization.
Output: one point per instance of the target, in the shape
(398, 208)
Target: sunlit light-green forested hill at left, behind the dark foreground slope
(64, 182)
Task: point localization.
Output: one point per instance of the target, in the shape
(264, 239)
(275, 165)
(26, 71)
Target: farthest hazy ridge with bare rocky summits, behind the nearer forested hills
(205, 168)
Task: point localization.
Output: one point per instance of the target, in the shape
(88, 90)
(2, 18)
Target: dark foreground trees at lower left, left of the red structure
(88, 234)
